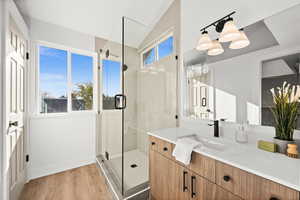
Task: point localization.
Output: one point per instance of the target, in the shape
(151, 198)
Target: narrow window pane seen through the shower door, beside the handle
(111, 73)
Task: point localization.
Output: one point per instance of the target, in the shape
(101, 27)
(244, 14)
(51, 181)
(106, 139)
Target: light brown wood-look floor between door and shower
(84, 183)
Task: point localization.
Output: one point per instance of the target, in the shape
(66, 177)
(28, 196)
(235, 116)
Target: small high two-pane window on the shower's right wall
(160, 50)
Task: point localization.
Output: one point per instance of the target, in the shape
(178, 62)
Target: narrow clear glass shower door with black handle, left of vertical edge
(110, 139)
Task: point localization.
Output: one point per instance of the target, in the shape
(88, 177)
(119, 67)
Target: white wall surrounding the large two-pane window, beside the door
(58, 143)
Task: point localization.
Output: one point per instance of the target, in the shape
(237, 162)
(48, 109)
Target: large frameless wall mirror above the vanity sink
(240, 79)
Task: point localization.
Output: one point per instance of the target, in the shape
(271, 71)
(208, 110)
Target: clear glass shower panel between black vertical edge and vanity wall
(150, 98)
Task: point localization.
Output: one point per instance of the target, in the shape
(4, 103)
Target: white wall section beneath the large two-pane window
(61, 143)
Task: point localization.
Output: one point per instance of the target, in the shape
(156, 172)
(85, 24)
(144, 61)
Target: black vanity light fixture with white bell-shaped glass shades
(228, 33)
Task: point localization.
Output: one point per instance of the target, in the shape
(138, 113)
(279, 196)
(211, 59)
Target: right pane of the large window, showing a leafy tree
(82, 82)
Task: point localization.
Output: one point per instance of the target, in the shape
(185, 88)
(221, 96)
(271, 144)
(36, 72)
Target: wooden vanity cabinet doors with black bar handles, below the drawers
(171, 181)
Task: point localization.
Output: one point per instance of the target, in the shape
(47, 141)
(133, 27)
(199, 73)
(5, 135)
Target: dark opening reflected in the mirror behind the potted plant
(274, 73)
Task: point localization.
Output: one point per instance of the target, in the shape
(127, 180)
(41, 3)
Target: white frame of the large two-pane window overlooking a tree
(69, 51)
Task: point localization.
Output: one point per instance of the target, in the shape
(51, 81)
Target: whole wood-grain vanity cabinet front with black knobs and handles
(206, 179)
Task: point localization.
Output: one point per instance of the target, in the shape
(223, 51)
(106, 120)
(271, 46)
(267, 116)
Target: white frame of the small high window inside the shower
(154, 44)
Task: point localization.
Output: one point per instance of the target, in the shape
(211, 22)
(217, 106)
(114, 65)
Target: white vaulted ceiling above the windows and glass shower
(100, 18)
